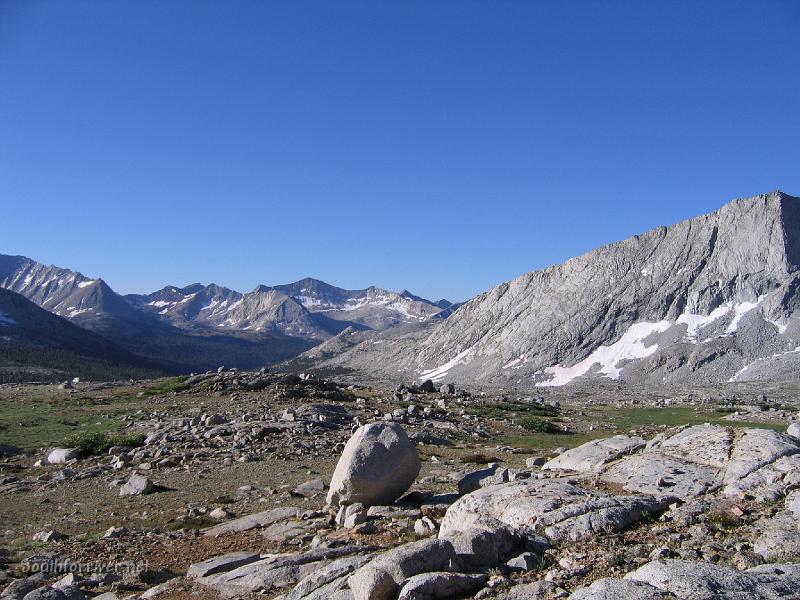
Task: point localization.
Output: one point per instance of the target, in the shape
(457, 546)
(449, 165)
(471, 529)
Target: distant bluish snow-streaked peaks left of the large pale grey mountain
(200, 327)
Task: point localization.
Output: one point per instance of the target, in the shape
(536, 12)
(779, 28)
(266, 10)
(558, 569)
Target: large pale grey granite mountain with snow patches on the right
(710, 299)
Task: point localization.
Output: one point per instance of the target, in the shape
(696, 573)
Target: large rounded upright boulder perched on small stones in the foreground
(378, 464)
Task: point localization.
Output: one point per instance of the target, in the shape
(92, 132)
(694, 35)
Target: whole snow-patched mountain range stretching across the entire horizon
(711, 299)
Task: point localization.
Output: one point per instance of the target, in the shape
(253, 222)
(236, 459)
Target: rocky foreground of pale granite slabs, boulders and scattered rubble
(705, 511)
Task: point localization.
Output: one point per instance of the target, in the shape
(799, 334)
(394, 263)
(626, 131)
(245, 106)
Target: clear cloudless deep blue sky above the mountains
(442, 147)
